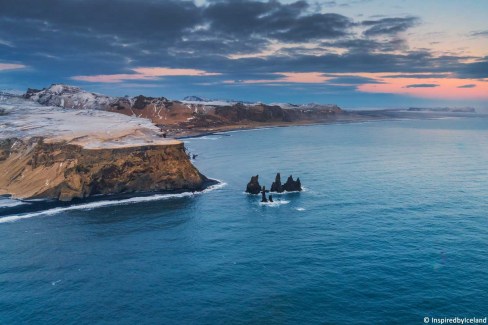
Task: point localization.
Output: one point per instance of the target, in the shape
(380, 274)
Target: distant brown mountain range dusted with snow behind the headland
(192, 113)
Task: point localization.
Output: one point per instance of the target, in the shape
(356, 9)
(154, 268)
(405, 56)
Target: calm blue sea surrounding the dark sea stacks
(392, 227)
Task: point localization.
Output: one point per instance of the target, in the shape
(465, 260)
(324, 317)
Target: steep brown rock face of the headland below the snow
(35, 169)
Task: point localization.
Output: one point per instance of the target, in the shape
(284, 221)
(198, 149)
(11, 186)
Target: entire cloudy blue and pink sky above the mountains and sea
(356, 53)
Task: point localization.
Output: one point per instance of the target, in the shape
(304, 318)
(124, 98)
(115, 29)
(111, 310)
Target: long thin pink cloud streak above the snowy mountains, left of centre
(144, 73)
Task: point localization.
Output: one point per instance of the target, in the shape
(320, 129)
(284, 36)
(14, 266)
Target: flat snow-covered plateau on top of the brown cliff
(91, 128)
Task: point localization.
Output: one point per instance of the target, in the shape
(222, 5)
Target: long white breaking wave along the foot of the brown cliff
(99, 204)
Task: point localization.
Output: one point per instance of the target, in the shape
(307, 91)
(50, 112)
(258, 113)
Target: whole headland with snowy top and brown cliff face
(48, 152)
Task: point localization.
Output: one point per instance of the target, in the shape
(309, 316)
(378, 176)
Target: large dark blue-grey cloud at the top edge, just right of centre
(273, 20)
